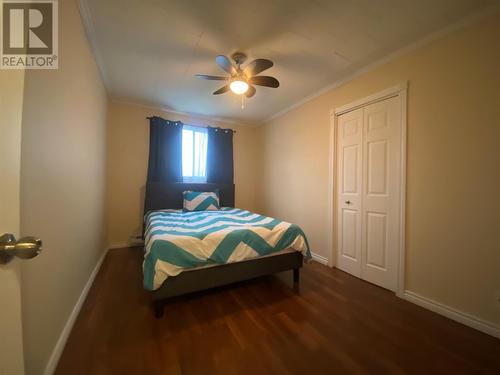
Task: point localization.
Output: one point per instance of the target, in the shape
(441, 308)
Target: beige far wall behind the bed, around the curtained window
(128, 148)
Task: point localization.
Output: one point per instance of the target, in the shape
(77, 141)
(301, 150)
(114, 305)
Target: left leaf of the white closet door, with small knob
(349, 192)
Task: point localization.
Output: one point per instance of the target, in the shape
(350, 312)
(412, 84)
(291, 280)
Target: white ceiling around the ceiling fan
(149, 51)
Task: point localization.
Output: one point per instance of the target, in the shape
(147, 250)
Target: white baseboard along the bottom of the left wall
(61, 342)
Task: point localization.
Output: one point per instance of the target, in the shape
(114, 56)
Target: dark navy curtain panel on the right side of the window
(220, 156)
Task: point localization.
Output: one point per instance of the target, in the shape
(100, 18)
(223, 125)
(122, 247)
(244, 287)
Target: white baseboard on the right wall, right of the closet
(454, 314)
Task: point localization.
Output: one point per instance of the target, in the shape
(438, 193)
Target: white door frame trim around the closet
(401, 91)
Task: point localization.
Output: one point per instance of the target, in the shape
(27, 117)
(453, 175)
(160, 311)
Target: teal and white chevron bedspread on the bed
(176, 241)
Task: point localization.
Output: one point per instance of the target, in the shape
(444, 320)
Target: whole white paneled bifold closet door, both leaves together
(368, 186)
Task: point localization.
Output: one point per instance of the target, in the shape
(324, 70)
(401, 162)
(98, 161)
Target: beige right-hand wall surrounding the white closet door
(452, 240)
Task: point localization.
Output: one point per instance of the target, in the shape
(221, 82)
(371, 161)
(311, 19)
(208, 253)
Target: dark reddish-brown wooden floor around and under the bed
(331, 323)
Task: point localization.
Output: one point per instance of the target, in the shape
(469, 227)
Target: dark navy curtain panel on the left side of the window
(165, 150)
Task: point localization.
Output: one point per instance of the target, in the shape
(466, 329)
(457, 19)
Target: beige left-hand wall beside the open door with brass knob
(62, 186)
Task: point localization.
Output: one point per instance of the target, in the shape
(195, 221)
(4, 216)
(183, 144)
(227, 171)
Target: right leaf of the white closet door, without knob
(381, 192)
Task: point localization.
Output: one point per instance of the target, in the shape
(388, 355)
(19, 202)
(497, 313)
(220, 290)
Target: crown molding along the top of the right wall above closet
(461, 24)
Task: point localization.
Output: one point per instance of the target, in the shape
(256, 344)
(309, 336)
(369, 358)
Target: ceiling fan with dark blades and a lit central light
(241, 80)
